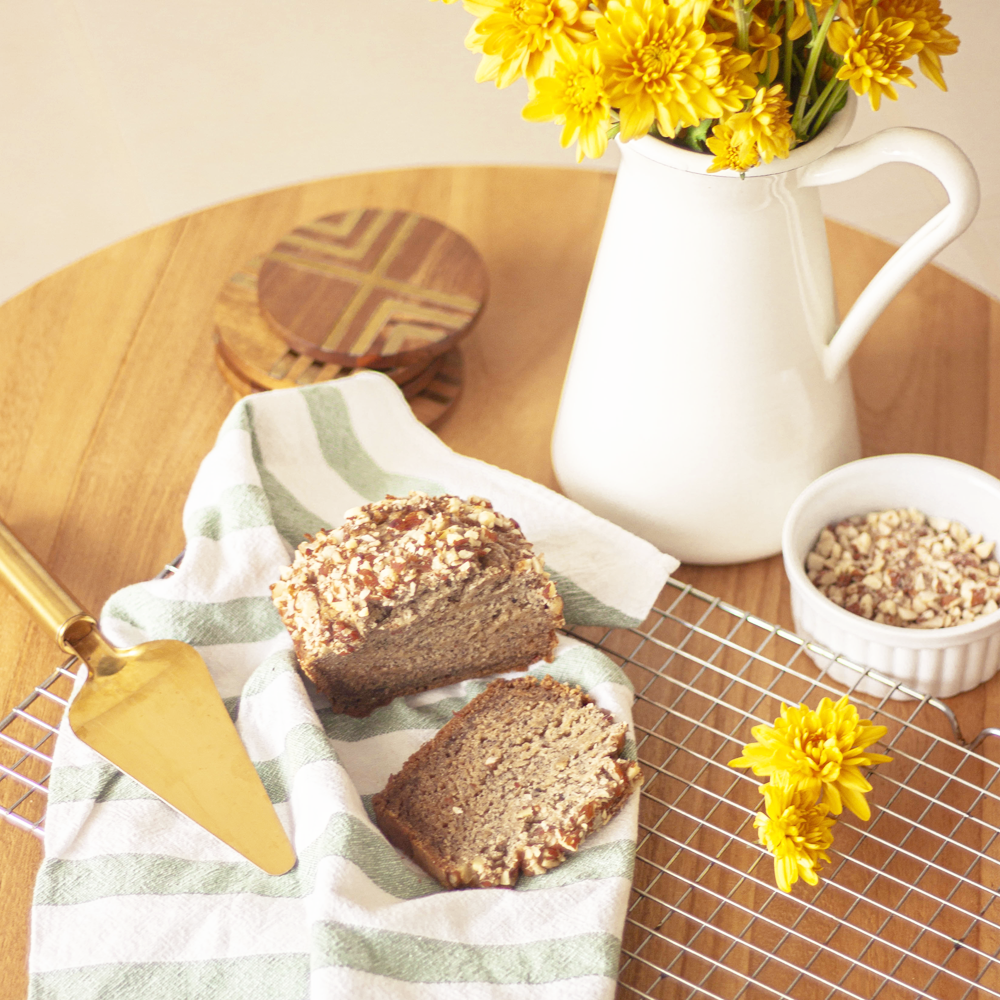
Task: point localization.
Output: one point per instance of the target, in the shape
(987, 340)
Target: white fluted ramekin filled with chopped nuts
(893, 565)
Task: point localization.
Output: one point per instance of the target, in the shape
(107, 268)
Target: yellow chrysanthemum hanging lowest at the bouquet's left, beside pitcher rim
(575, 97)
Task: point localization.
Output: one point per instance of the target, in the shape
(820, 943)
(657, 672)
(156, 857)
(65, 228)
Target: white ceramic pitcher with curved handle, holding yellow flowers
(708, 384)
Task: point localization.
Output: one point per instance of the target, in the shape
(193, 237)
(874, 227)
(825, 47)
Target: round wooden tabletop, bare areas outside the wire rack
(109, 395)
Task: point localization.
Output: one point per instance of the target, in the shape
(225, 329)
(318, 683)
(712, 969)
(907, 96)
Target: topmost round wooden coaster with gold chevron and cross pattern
(372, 288)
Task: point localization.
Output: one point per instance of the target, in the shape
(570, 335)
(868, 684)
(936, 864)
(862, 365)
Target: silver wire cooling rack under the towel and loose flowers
(906, 908)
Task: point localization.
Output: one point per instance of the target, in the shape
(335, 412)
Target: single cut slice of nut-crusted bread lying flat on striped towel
(510, 784)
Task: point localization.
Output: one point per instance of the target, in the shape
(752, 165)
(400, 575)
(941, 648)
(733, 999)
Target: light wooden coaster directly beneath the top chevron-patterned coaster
(256, 355)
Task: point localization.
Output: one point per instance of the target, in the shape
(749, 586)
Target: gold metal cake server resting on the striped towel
(154, 712)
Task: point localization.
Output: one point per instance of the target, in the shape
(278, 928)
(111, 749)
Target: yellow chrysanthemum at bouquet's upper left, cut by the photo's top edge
(517, 37)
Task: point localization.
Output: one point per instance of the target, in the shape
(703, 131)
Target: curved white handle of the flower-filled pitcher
(950, 166)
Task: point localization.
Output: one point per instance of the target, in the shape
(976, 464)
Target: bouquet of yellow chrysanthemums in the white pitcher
(744, 80)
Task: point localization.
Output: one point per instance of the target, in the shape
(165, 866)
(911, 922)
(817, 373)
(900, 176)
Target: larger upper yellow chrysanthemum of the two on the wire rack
(823, 751)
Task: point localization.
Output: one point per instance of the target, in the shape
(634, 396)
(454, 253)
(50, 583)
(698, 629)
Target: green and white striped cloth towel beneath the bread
(133, 901)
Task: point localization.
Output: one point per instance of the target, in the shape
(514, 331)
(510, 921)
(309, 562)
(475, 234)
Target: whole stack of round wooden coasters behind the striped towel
(370, 288)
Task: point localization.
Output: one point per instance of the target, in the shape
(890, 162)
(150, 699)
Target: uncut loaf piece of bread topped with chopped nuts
(412, 593)
